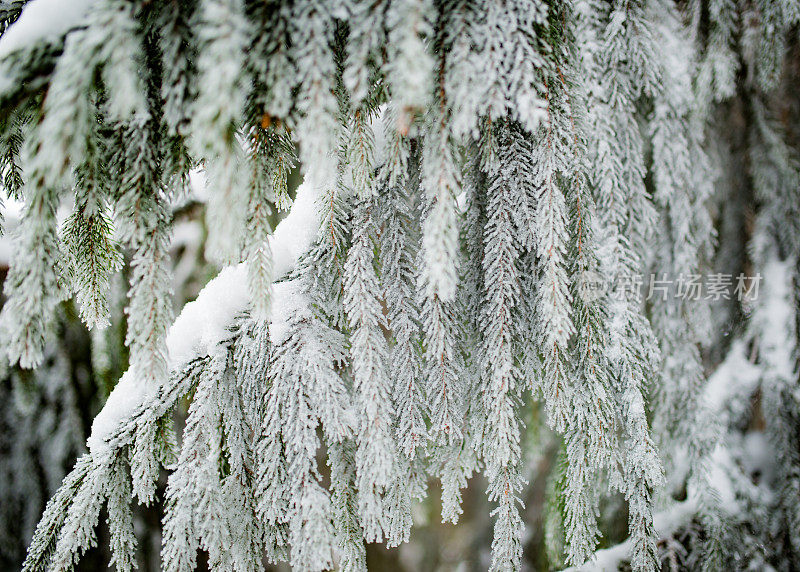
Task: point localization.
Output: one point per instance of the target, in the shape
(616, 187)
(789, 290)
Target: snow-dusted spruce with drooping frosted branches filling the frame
(418, 314)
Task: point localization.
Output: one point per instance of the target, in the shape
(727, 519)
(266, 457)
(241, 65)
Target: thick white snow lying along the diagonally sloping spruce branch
(203, 323)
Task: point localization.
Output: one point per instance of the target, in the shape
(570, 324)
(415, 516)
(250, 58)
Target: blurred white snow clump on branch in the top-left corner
(43, 20)
